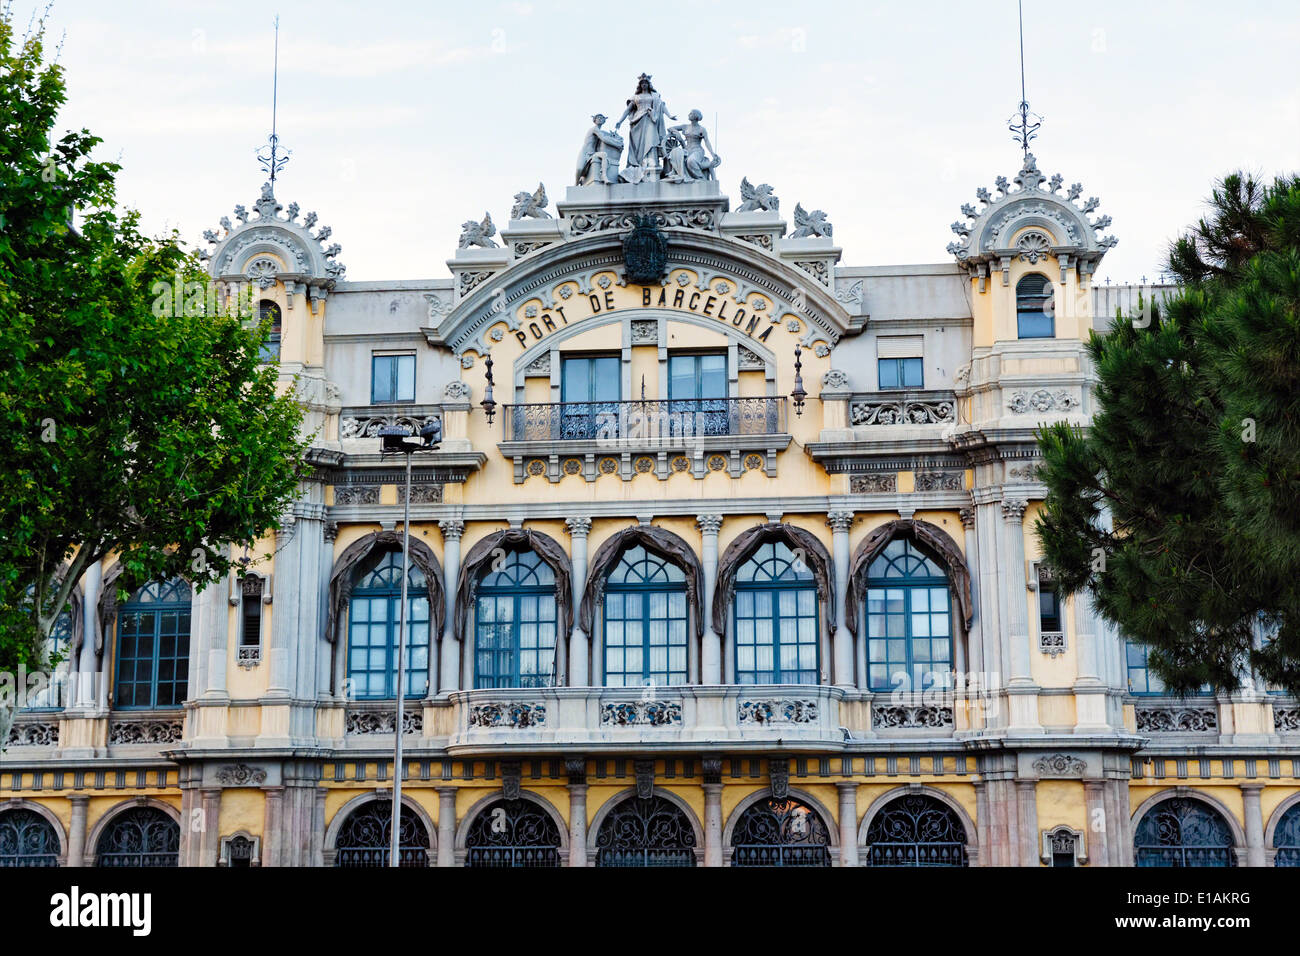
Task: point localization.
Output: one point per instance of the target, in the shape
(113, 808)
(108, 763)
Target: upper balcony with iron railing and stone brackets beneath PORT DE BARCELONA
(649, 436)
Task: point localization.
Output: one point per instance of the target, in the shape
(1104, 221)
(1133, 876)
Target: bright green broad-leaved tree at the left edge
(133, 422)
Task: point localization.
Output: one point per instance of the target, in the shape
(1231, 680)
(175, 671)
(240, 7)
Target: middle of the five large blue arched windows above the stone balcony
(645, 622)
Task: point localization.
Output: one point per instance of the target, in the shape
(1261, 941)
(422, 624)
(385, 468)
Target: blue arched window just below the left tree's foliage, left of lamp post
(154, 647)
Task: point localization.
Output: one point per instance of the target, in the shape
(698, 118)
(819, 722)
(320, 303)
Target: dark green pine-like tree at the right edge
(1180, 508)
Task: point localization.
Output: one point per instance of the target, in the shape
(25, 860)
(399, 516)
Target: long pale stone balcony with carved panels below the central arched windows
(794, 716)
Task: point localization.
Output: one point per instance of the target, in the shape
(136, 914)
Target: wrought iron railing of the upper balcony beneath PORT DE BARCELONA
(645, 419)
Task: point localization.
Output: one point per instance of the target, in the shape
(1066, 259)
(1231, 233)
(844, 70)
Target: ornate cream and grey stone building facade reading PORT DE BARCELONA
(726, 557)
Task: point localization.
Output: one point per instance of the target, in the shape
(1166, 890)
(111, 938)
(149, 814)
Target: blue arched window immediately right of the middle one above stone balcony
(775, 618)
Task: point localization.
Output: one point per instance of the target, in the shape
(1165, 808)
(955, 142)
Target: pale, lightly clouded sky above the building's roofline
(408, 119)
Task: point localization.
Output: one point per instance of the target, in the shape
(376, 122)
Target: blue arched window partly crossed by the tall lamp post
(375, 618)
